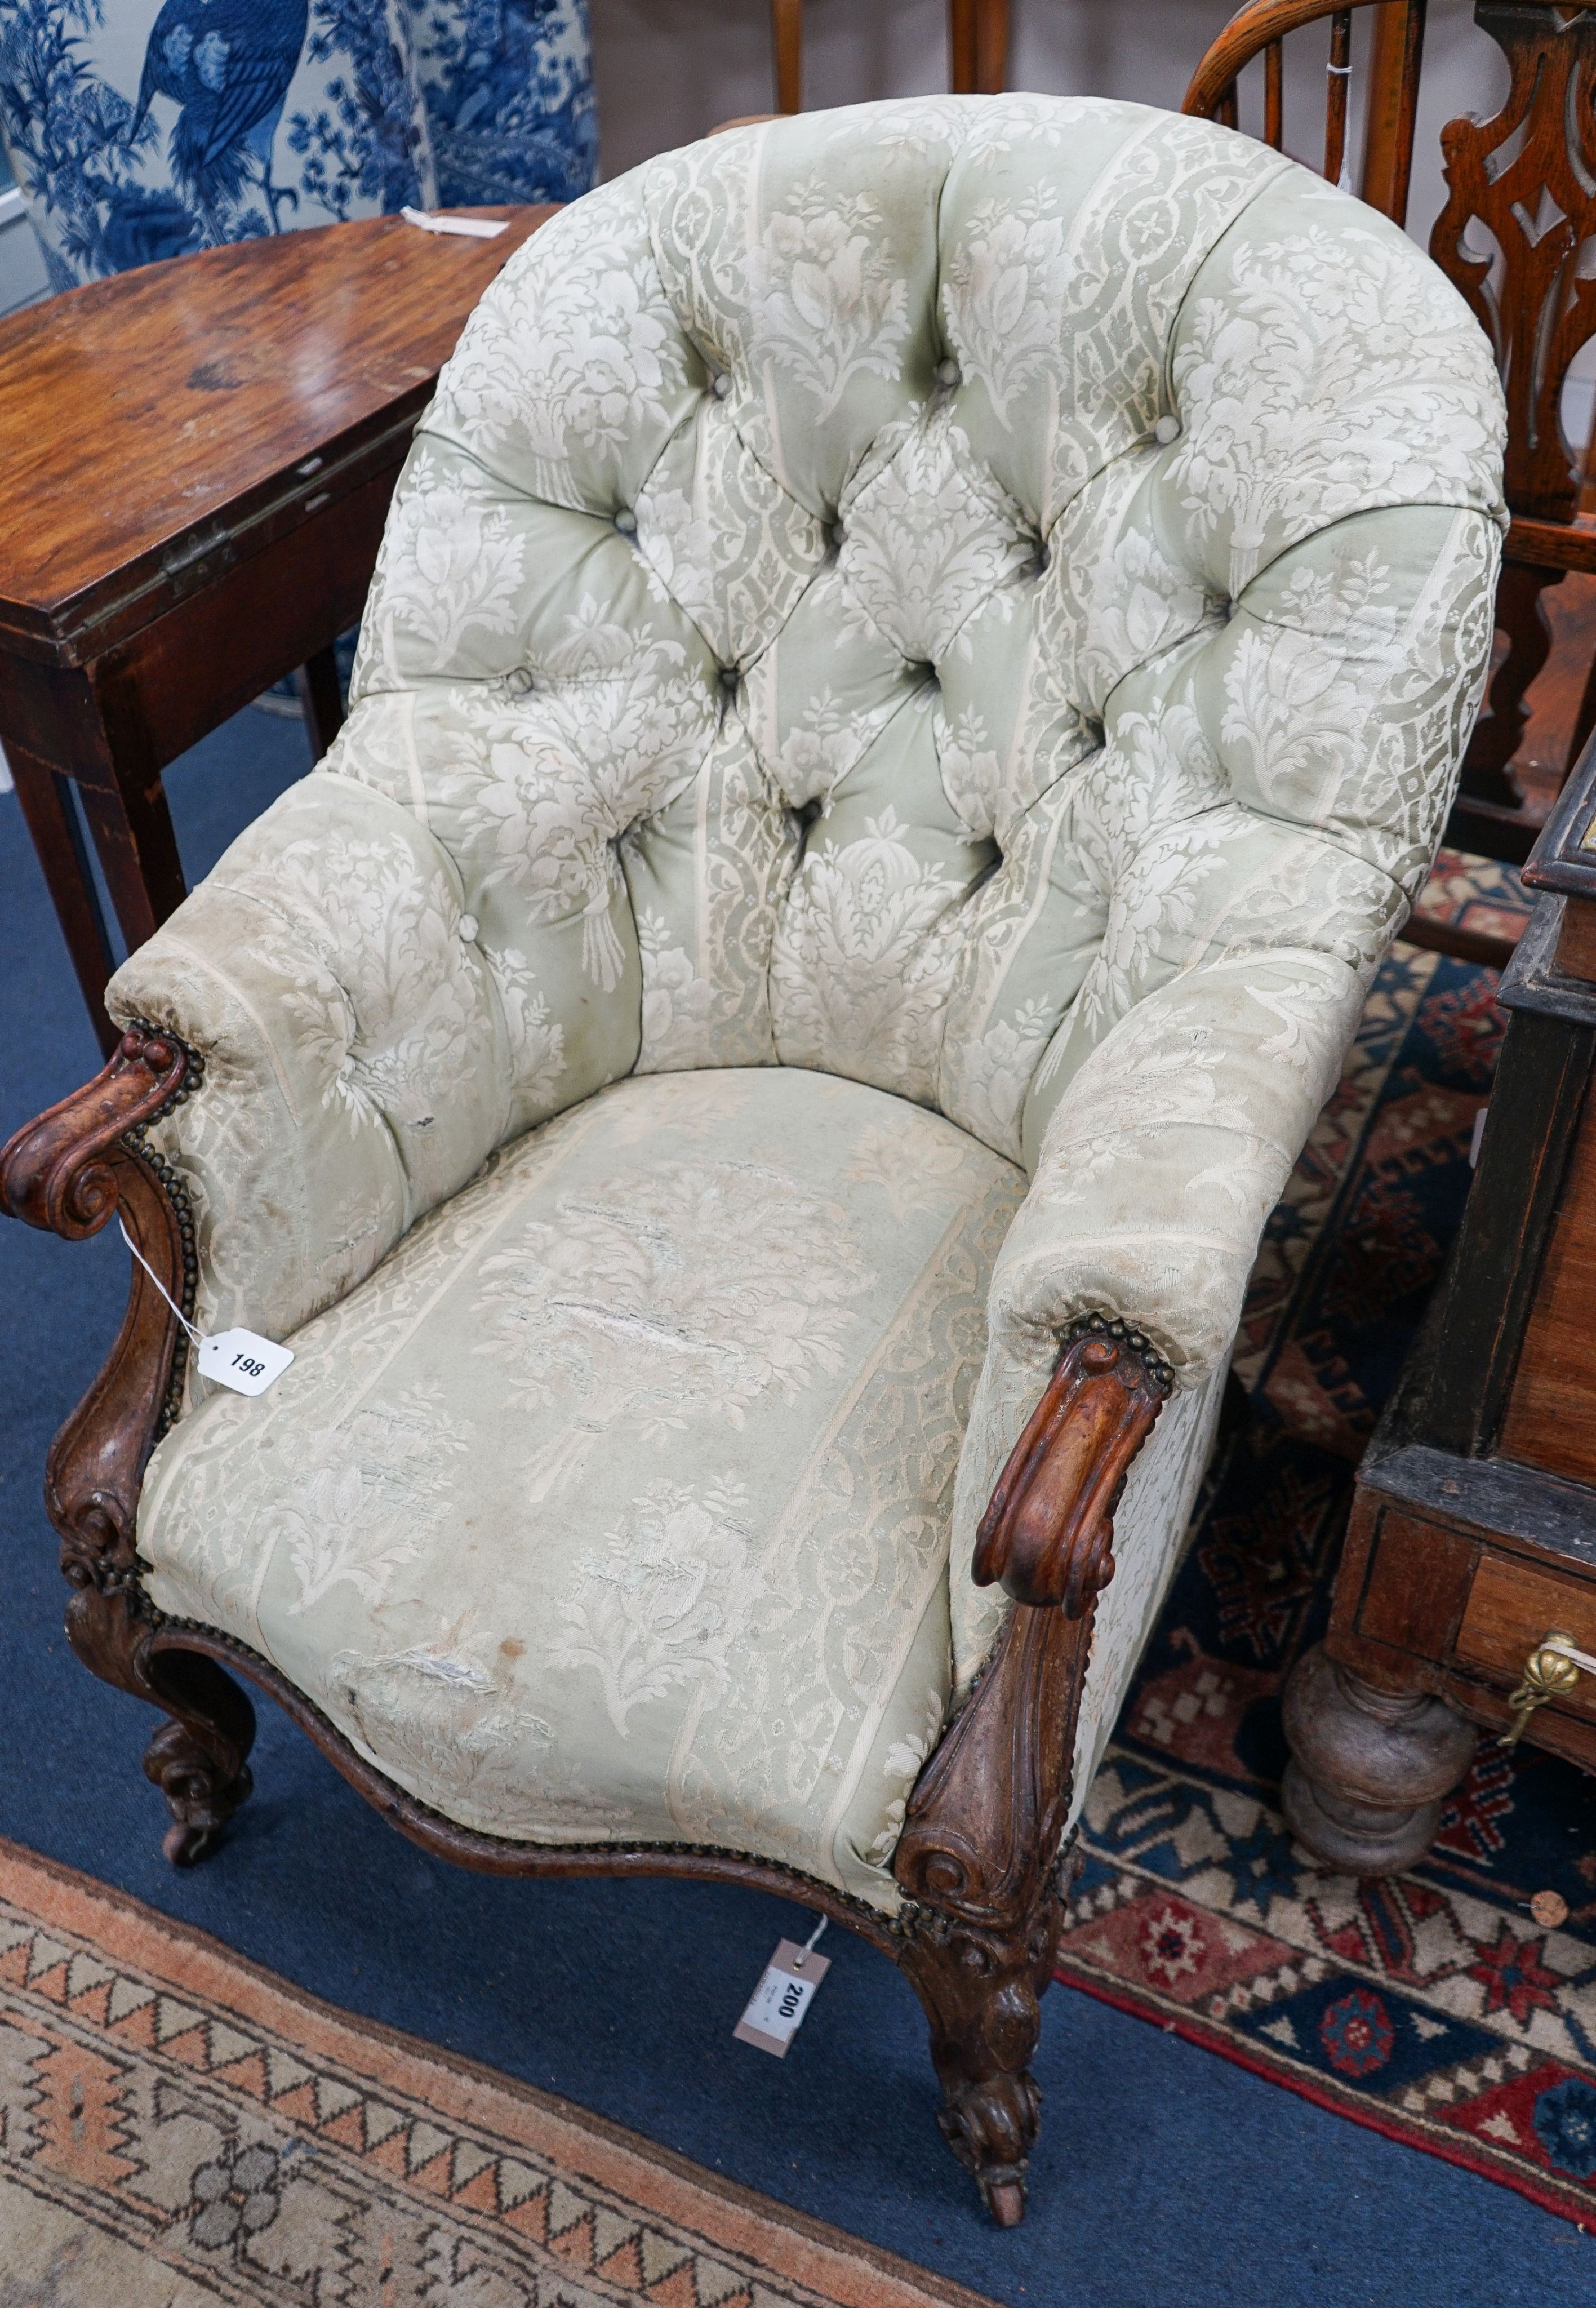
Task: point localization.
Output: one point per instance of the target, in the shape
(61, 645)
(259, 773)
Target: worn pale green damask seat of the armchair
(615, 1504)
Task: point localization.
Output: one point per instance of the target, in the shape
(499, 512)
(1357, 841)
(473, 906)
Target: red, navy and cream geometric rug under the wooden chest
(1426, 2007)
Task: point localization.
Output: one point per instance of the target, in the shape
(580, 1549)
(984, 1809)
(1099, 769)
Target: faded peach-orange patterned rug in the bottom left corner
(181, 2129)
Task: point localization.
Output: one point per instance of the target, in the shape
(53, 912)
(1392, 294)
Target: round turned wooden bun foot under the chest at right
(1369, 1769)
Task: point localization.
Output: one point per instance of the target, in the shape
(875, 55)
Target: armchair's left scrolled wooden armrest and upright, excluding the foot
(70, 1174)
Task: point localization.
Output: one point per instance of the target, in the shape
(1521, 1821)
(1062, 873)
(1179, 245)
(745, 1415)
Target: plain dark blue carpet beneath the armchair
(1166, 2178)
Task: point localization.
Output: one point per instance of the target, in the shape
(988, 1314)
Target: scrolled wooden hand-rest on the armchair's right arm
(1048, 1534)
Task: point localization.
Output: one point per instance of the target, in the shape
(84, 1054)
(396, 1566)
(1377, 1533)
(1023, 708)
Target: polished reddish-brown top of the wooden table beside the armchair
(144, 410)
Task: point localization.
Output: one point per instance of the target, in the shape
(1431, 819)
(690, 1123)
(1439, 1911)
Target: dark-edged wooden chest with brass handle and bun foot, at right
(1473, 1531)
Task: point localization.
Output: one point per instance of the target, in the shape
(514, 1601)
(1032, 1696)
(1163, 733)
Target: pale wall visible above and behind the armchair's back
(668, 70)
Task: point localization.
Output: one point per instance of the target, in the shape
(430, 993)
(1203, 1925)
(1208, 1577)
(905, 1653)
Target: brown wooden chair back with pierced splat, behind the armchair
(1514, 237)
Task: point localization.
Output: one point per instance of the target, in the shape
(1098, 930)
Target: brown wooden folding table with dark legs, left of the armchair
(197, 470)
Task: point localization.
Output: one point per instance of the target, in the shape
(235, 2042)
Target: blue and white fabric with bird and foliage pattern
(149, 128)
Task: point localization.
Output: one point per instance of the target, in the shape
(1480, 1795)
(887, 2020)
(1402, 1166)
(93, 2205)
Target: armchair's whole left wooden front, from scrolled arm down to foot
(73, 1171)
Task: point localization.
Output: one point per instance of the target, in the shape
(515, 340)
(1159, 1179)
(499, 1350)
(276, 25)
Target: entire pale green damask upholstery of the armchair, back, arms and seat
(977, 601)
